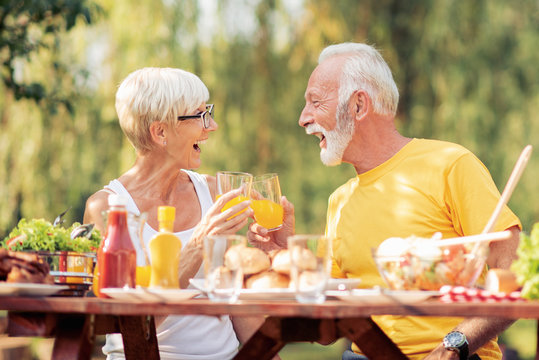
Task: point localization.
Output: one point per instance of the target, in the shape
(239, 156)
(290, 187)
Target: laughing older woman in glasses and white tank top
(164, 114)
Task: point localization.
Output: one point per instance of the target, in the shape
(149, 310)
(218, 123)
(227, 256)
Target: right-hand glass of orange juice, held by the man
(266, 201)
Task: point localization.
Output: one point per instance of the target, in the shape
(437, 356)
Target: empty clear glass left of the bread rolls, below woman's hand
(222, 270)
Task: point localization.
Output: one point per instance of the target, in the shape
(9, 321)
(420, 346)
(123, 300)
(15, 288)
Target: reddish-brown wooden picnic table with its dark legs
(74, 322)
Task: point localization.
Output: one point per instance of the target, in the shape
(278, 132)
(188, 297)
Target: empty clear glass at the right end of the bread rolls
(310, 266)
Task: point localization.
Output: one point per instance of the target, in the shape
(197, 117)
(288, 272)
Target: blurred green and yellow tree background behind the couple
(467, 72)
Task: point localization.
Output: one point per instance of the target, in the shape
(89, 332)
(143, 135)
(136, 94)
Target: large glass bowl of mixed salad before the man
(416, 263)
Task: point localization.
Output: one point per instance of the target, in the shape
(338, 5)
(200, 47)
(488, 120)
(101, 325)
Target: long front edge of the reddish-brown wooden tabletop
(330, 309)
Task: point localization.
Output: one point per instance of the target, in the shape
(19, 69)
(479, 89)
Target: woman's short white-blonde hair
(156, 94)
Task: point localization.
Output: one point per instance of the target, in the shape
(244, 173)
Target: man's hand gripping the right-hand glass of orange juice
(266, 240)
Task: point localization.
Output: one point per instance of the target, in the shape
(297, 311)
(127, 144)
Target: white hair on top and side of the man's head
(365, 69)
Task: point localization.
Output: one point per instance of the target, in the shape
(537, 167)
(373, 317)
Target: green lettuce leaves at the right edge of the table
(526, 267)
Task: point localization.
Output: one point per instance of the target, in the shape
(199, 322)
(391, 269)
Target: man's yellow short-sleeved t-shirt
(428, 186)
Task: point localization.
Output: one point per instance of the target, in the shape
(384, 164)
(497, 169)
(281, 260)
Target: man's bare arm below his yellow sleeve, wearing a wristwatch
(479, 331)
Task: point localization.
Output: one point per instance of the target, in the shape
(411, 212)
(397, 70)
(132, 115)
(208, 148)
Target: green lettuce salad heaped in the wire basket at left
(41, 235)
